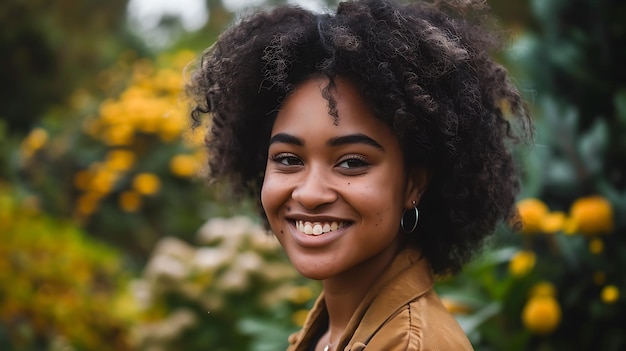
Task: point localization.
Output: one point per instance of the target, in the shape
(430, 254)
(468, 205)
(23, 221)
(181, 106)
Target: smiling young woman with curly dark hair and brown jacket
(375, 141)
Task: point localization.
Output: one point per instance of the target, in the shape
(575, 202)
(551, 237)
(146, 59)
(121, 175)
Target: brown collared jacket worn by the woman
(400, 312)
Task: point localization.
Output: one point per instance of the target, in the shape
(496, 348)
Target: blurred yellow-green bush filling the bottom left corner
(60, 289)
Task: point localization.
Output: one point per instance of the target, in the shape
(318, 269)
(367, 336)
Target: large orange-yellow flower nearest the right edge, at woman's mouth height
(593, 215)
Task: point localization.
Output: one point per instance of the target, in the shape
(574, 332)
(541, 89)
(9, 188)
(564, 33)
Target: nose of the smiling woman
(314, 190)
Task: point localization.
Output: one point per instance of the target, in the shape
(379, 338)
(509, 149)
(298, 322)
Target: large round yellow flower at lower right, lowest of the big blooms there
(541, 314)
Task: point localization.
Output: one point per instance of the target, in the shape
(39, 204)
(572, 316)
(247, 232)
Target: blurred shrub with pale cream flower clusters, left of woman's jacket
(234, 290)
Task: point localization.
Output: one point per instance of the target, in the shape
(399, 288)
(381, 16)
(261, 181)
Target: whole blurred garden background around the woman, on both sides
(111, 240)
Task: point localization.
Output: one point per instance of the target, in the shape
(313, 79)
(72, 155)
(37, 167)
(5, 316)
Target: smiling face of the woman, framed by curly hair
(334, 192)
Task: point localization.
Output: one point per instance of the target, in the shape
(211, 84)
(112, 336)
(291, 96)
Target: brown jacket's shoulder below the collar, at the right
(422, 324)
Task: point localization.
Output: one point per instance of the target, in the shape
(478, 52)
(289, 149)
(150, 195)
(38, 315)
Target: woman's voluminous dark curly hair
(425, 70)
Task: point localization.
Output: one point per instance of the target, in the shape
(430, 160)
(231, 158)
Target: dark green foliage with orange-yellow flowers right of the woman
(559, 283)
